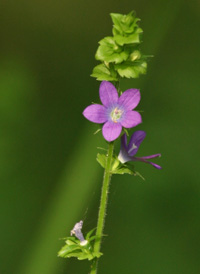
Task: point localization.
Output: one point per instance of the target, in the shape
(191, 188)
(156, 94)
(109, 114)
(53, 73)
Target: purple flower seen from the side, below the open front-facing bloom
(127, 152)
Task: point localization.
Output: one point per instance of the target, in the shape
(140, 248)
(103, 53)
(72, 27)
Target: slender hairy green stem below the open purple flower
(103, 204)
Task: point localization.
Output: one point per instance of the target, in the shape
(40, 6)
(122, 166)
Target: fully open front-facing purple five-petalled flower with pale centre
(116, 111)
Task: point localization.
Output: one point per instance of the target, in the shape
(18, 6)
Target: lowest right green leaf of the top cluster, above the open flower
(131, 69)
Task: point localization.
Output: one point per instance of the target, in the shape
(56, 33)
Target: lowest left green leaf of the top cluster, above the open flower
(103, 73)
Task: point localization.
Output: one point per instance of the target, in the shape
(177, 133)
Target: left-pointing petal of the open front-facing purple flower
(95, 113)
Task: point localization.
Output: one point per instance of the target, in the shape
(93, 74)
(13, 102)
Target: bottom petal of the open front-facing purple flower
(111, 131)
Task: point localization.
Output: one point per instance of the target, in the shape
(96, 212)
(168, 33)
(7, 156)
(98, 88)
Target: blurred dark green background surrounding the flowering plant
(48, 173)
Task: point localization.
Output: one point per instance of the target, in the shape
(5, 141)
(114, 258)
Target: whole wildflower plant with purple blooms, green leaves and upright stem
(120, 57)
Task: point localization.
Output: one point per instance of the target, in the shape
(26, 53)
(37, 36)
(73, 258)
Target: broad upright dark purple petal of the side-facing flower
(135, 141)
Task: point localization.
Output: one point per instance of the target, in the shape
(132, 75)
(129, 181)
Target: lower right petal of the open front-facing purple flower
(131, 119)
